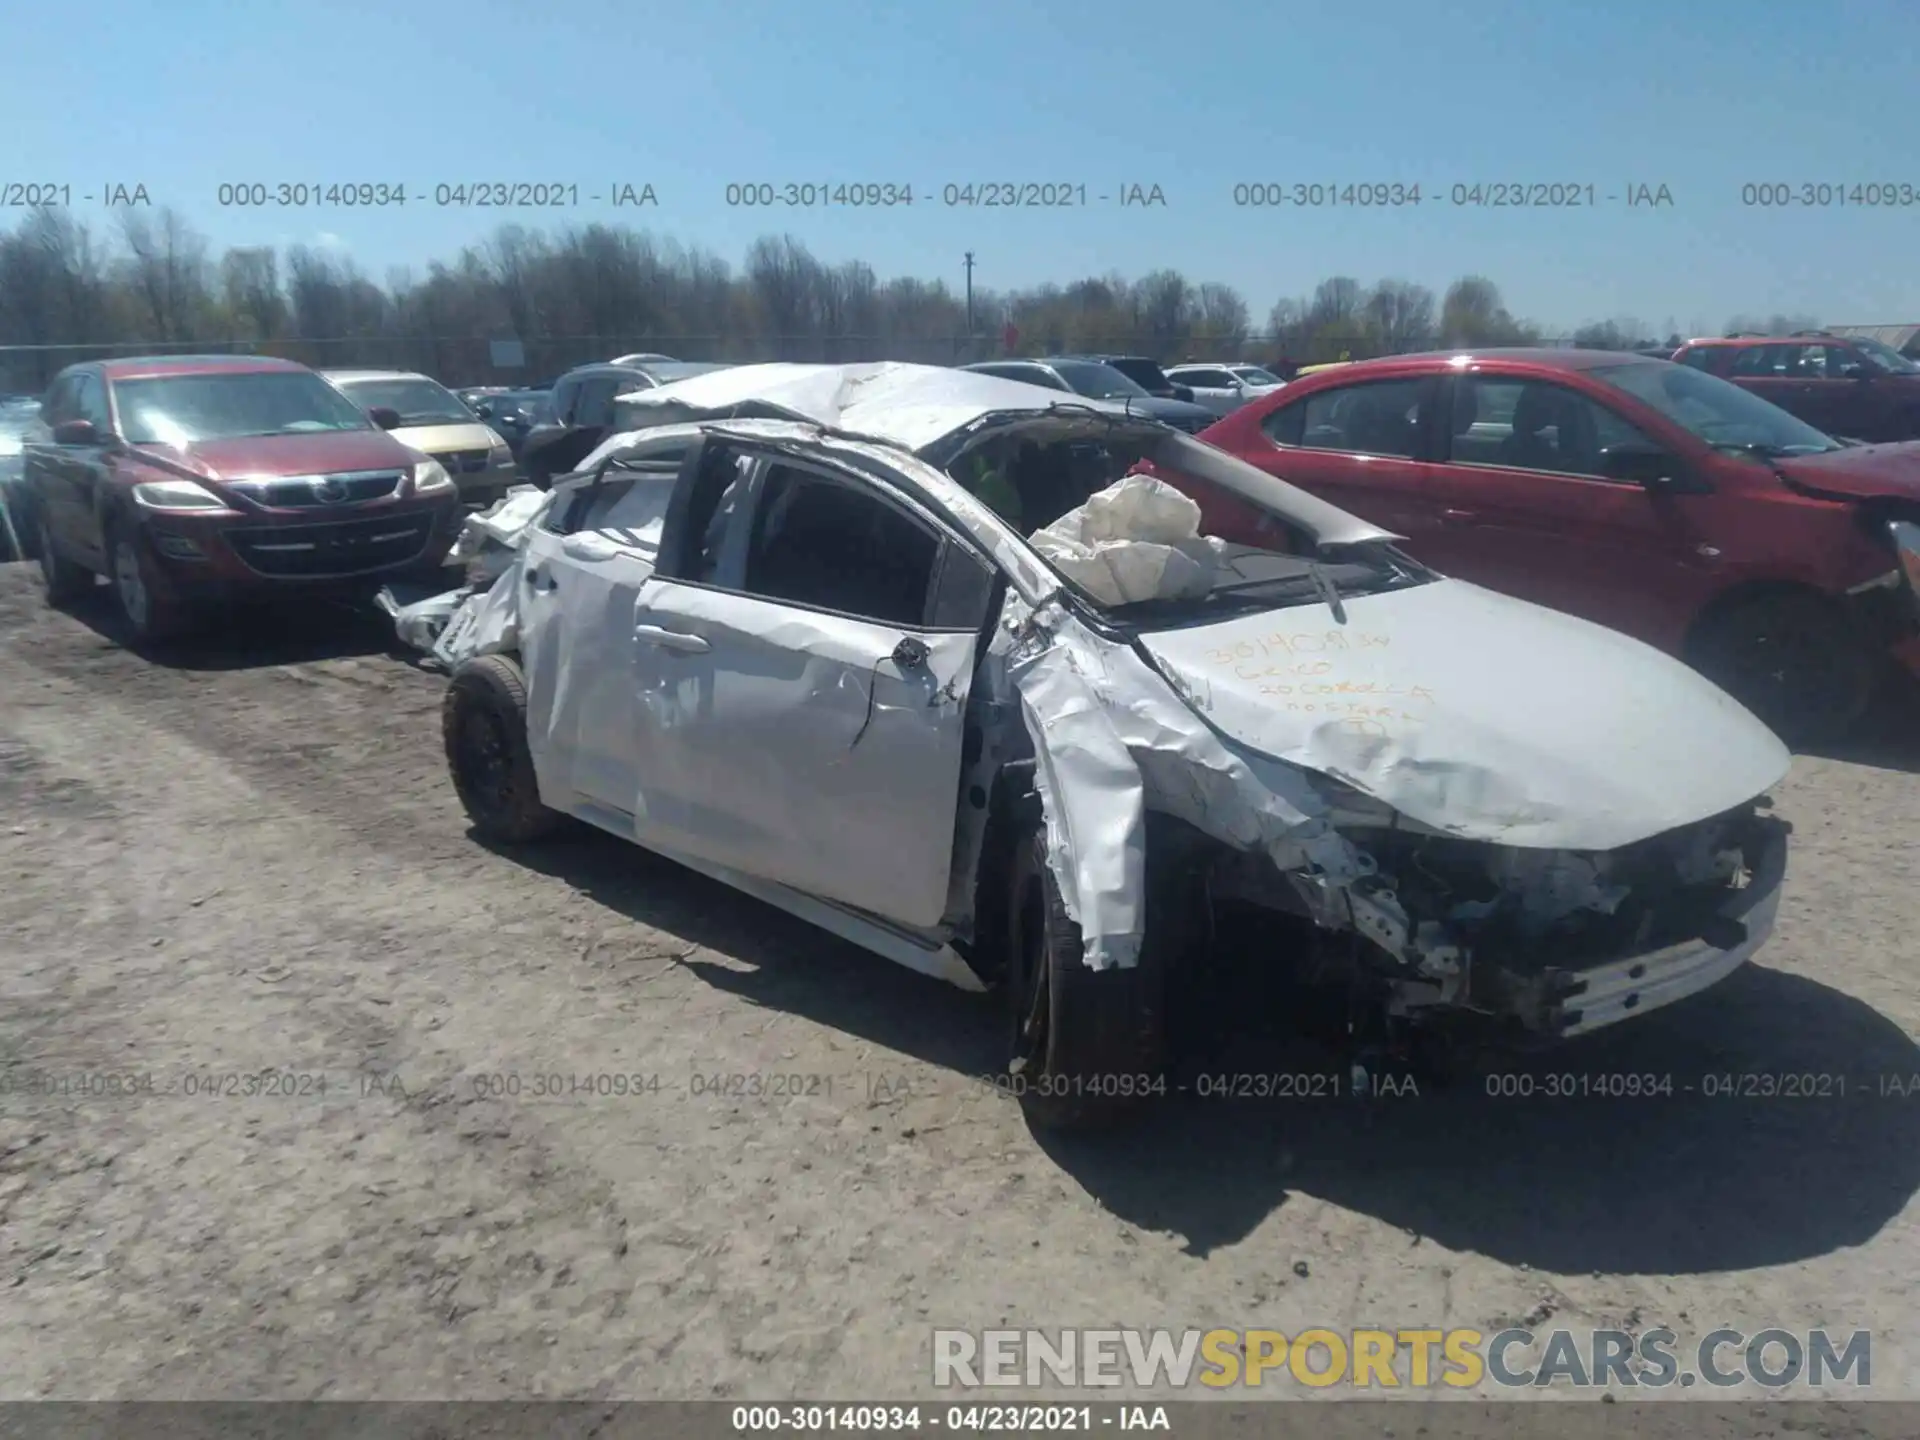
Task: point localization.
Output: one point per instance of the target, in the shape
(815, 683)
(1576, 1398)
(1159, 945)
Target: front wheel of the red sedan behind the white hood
(1796, 661)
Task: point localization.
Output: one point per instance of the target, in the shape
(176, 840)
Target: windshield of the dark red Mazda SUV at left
(180, 410)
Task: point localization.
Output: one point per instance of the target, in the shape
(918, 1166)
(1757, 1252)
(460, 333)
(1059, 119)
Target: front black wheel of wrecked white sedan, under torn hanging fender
(1086, 1047)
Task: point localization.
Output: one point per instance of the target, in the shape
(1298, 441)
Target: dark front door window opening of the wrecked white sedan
(834, 546)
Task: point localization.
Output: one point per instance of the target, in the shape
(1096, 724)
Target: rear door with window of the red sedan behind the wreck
(1362, 446)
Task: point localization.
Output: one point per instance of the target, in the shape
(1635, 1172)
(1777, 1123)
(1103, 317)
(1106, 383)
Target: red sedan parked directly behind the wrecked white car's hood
(1648, 496)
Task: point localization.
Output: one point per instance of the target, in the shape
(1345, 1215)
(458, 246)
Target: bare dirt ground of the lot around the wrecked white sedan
(251, 859)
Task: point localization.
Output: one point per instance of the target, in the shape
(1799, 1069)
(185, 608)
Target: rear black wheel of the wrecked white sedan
(483, 723)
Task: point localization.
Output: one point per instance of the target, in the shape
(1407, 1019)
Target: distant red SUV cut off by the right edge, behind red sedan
(1848, 387)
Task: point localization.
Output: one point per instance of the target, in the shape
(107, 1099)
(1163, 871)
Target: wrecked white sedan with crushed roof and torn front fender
(777, 633)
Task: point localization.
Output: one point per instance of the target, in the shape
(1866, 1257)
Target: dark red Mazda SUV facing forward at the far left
(216, 477)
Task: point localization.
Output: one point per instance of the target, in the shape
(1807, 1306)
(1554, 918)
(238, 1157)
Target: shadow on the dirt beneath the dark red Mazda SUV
(256, 636)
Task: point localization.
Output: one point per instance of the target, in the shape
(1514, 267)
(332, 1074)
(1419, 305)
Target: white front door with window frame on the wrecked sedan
(804, 673)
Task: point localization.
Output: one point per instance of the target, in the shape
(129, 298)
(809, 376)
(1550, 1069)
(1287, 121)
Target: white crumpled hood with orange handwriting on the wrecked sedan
(1479, 715)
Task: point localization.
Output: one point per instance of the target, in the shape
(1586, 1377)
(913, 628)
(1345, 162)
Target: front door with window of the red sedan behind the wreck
(1527, 510)
